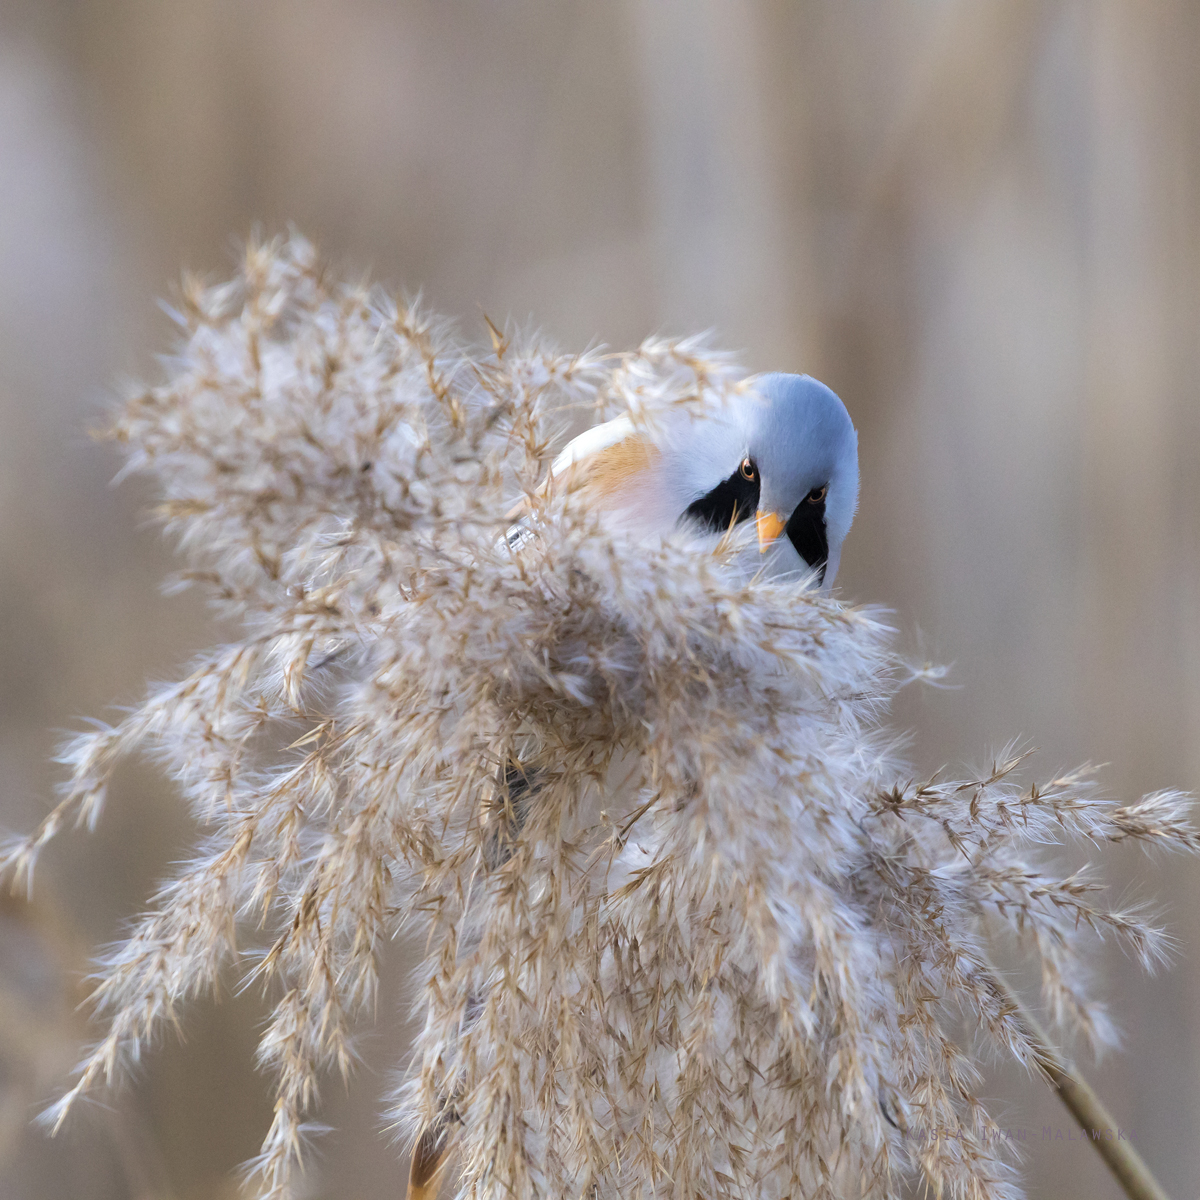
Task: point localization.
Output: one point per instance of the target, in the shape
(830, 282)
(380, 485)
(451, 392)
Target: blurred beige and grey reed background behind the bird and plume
(979, 221)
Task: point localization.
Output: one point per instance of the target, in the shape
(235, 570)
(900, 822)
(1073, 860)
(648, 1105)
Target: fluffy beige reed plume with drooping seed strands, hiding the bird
(691, 933)
